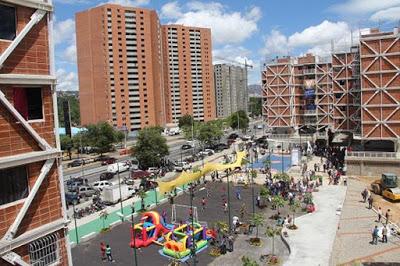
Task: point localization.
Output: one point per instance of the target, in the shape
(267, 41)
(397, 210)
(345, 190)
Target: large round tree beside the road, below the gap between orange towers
(150, 147)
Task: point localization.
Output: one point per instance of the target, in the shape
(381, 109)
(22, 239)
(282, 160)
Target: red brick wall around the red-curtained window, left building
(14, 139)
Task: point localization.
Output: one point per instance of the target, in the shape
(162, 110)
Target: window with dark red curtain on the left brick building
(28, 102)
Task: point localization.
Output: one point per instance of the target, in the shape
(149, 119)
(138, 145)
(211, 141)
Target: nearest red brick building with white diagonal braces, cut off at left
(32, 206)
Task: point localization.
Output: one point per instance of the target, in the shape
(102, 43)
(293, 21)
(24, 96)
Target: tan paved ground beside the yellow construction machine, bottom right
(352, 244)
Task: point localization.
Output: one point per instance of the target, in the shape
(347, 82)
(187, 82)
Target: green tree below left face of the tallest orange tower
(101, 136)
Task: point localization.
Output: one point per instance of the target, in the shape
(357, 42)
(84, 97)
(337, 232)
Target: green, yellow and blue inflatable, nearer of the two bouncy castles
(180, 241)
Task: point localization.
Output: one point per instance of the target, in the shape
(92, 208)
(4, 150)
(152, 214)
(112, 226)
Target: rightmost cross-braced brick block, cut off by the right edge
(380, 85)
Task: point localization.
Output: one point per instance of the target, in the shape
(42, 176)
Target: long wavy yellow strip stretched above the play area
(188, 177)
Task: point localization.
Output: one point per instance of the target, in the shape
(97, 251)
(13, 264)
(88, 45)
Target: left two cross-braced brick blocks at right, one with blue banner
(297, 93)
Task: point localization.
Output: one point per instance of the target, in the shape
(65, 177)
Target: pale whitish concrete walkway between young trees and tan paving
(312, 243)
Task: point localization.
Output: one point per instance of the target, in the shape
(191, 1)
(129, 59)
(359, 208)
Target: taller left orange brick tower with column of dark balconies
(120, 66)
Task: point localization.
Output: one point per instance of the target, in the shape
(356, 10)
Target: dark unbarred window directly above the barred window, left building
(13, 184)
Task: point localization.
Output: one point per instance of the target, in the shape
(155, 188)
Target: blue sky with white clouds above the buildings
(245, 30)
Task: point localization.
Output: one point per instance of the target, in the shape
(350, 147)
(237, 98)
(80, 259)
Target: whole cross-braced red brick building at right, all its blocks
(355, 91)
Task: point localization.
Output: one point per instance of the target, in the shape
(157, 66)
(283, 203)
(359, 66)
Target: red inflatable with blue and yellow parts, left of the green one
(151, 229)
